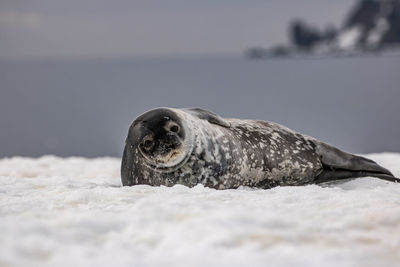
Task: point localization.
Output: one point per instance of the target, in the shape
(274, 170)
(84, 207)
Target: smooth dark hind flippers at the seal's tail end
(341, 165)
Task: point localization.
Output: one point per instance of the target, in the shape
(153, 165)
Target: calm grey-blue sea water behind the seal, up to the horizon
(84, 107)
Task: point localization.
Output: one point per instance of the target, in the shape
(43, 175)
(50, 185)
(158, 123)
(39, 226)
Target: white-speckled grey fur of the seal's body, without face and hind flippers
(226, 153)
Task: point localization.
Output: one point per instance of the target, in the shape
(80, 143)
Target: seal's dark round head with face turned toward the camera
(160, 138)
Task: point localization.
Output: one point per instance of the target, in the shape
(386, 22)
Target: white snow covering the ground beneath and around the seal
(74, 212)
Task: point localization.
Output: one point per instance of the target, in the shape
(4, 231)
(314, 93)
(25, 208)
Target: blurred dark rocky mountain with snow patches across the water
(372, 25)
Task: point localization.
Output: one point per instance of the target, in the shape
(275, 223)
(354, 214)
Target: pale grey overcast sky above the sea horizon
(119, 28)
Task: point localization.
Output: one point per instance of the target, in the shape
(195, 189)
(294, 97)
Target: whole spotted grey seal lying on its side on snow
(168, 146)
